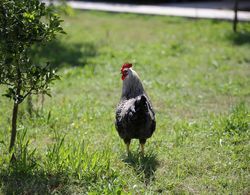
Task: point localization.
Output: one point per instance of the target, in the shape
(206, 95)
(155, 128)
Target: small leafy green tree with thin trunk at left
(22, 25)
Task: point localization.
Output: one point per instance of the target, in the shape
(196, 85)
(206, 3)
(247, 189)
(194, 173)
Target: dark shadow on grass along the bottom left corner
(32, 183)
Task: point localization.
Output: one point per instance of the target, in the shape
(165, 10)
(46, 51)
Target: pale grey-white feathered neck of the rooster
(132, 86)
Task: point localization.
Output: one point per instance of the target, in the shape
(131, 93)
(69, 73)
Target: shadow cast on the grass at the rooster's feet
(144, 166)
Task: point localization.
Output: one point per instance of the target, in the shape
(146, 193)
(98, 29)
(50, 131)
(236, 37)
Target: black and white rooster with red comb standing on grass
(135, 117)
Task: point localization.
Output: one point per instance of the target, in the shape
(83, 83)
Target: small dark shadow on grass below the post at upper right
(240, 38)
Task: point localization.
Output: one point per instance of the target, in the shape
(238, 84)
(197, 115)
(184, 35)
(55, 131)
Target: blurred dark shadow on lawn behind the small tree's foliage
(63, 54)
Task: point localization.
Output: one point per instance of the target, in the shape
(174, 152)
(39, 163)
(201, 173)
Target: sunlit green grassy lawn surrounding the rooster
(197, 73)
